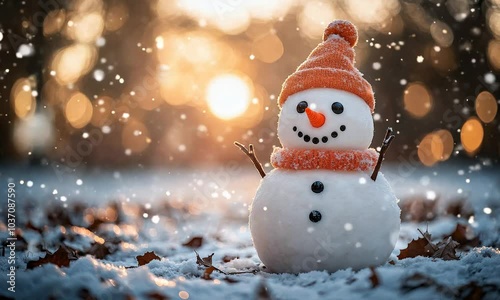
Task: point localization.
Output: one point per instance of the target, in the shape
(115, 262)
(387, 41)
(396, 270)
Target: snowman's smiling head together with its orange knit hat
(326, 103)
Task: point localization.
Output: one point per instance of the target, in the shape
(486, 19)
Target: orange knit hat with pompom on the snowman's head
(331, 65)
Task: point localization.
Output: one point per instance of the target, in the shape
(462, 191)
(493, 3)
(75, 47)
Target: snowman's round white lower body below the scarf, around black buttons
(359, 222)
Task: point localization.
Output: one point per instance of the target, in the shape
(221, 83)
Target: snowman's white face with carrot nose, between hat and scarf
(325, 118)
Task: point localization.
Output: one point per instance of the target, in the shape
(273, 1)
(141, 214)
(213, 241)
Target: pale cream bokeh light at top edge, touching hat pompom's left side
(314, 17)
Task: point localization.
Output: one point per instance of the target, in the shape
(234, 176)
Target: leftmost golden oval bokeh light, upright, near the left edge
(22, 98)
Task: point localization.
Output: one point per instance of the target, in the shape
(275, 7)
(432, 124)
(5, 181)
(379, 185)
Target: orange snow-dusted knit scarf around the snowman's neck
(335, 160)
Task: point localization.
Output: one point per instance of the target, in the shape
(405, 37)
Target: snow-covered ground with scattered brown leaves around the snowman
(128, 213)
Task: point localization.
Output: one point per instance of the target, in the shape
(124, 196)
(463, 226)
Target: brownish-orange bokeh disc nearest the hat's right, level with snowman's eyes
(417, 100)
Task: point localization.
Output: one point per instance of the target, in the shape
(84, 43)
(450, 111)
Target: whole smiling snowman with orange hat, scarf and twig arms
(325, 206)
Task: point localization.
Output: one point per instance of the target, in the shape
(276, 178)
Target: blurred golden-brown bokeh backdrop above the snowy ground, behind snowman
(172, 83)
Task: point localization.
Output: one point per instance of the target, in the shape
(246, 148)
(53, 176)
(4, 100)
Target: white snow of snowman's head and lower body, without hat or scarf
(359, 218)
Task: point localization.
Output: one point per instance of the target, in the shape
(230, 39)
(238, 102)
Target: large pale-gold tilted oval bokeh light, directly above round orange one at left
(72, 62)
